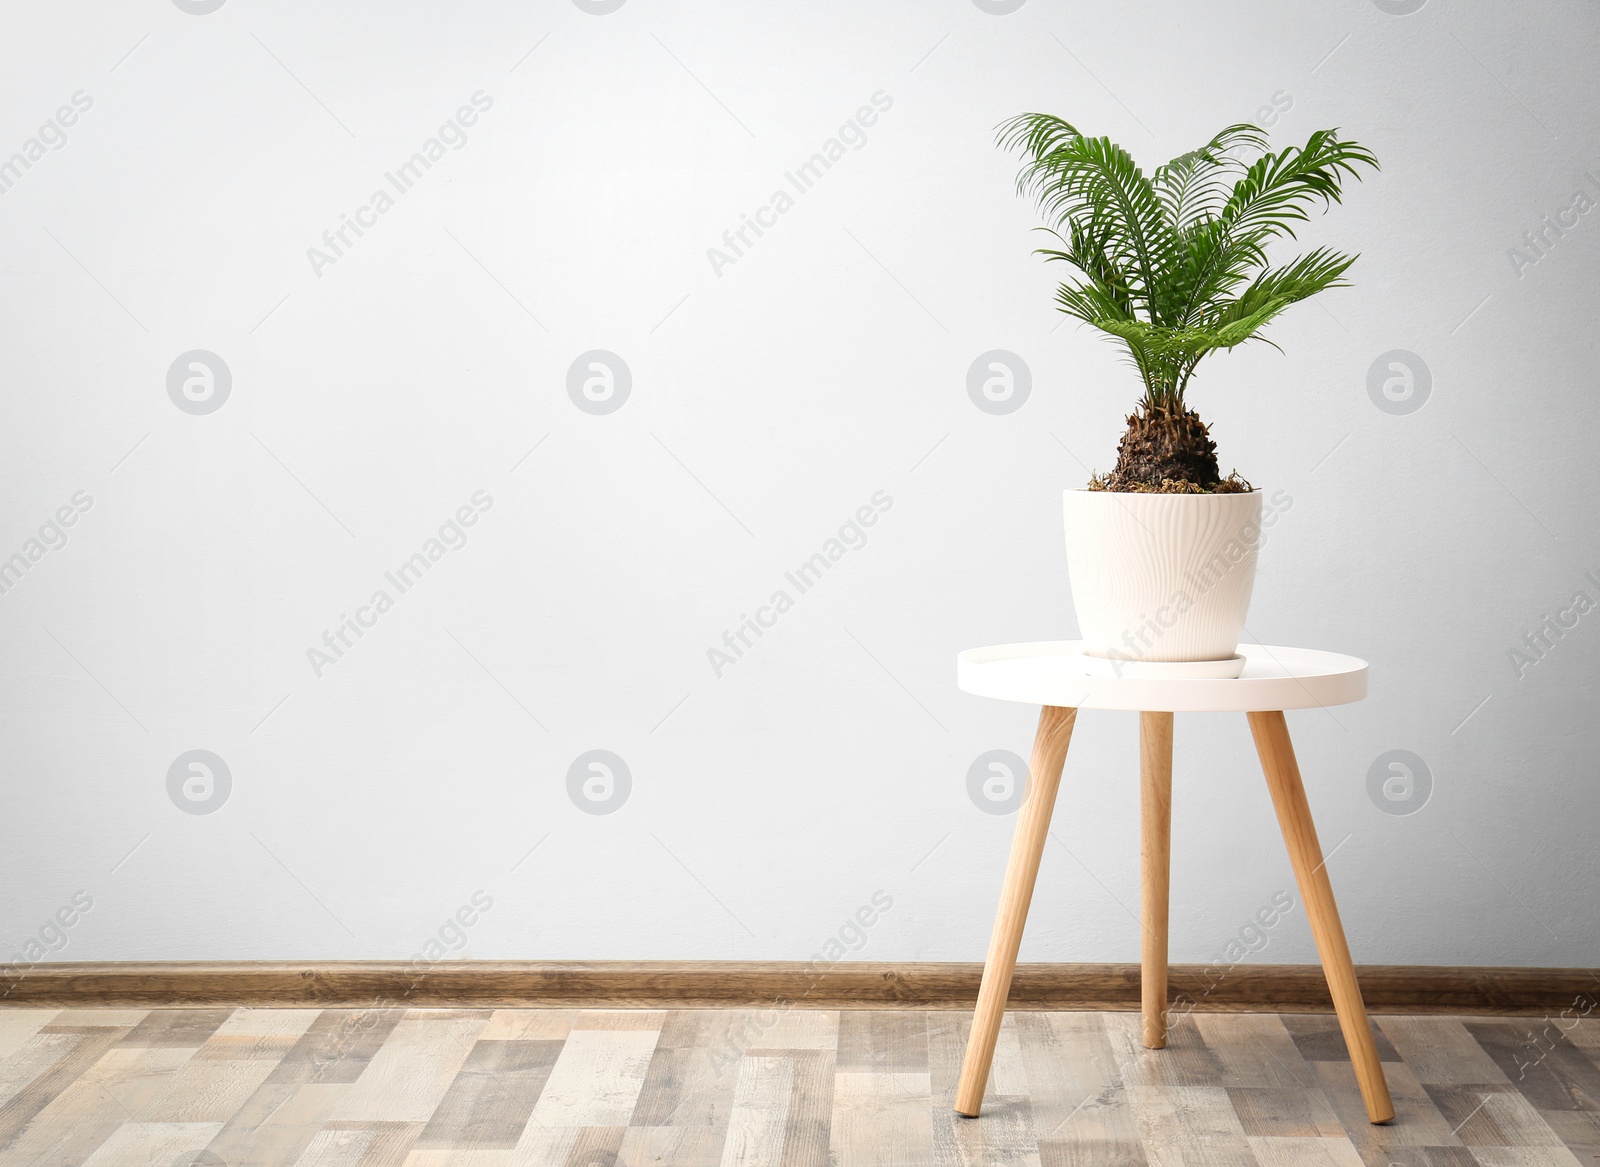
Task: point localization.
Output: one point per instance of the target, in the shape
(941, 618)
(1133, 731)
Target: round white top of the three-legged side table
(1054, 673)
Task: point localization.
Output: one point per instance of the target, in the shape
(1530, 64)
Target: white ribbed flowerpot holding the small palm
(1162, 577)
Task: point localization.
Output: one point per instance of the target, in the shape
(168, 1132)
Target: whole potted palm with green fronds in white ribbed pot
(1174, 267)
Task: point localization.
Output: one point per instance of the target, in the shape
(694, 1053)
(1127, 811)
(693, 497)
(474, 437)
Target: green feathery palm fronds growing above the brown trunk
(1175, 265)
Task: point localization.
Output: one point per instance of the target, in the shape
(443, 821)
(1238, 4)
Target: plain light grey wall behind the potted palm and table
(378, 391)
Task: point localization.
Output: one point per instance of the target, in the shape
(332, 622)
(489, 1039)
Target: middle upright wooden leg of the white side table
(1156, 828)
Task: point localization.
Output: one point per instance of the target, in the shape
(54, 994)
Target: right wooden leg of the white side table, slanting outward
(1300, 833)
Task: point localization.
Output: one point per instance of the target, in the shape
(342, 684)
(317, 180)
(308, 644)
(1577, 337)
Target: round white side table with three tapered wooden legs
(1055, 676)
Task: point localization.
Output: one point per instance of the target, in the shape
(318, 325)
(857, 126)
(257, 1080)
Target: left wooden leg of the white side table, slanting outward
(1028, 846)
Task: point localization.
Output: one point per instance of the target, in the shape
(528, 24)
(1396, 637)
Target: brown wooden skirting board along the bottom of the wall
(1279, 989)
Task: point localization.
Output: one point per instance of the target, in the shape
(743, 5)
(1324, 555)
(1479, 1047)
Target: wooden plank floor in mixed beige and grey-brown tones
(550, 1088)
